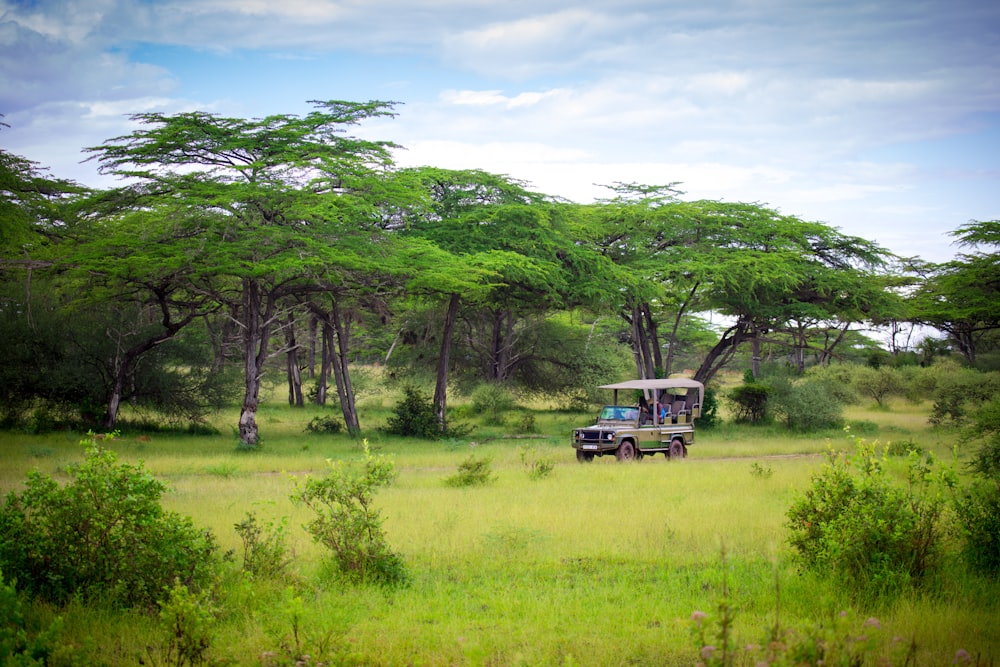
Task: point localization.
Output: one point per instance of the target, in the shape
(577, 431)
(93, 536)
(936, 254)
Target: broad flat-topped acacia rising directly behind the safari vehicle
(763, 271)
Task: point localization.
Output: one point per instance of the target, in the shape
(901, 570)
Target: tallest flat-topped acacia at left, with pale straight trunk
(274, 205)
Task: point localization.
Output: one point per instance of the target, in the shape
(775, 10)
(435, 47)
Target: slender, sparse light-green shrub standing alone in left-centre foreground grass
(347, 522)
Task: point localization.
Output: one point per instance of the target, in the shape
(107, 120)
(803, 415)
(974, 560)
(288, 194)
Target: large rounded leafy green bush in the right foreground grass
(868, 533)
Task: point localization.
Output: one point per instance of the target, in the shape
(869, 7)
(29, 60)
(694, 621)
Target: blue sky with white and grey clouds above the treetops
(879, 118)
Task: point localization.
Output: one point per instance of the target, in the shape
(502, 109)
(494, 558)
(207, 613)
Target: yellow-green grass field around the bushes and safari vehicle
(594, 564)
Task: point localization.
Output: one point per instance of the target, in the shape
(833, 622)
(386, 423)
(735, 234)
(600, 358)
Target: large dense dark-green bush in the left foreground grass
(102, 536)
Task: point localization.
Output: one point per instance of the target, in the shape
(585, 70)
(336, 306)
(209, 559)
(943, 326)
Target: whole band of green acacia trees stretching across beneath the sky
(286, 236)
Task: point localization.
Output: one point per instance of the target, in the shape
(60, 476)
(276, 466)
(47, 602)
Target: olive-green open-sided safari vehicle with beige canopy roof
(661, 419)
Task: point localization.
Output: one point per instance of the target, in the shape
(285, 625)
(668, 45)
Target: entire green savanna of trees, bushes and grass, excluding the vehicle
(275, 400)
